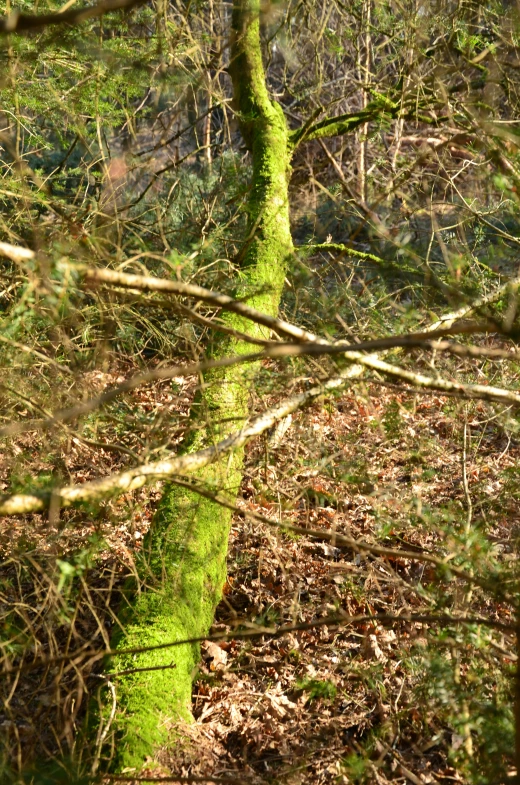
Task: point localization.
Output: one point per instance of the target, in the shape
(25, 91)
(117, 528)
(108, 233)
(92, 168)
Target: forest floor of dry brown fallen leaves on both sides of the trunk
(332, 703)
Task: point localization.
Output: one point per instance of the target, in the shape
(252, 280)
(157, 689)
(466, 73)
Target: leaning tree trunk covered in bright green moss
(184, 562)
